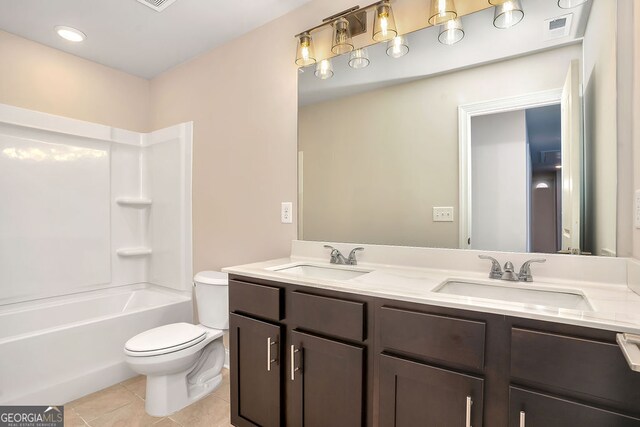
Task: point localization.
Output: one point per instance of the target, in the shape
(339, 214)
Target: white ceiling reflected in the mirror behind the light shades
(483, 43)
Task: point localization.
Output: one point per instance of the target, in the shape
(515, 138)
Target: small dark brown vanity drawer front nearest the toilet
(259, 300)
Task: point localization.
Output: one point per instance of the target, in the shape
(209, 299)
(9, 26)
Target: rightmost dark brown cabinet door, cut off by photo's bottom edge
(530, 409)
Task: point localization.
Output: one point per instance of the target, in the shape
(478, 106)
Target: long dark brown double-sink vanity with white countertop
(310, 351)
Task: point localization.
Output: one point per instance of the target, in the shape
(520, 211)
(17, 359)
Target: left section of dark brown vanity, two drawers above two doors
(297, 358)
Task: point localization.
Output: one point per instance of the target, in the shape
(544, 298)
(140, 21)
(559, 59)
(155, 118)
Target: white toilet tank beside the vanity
(212, 298)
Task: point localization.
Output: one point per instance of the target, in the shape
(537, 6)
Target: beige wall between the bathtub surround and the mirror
(242, 98)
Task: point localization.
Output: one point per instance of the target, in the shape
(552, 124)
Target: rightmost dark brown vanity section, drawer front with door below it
(570, 377)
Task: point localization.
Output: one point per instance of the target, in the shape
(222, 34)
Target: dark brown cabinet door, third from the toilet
(413, 394)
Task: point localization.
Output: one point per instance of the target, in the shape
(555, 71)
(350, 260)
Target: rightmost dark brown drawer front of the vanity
(579, 367)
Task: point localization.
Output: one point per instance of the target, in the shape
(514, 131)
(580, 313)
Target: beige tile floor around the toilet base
(123, 405)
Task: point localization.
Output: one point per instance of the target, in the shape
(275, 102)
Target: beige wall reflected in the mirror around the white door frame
(376, 163)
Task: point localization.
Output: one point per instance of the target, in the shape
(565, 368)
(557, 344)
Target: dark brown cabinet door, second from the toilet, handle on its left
(328, 382)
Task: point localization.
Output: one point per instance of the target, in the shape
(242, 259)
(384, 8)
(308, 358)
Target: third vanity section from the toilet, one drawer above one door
(430, 369)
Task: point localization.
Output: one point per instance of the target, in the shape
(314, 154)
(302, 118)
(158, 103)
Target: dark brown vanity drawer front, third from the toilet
(448, 340)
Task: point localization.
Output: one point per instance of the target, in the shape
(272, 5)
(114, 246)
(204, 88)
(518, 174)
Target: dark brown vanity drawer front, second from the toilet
(332, 316)
